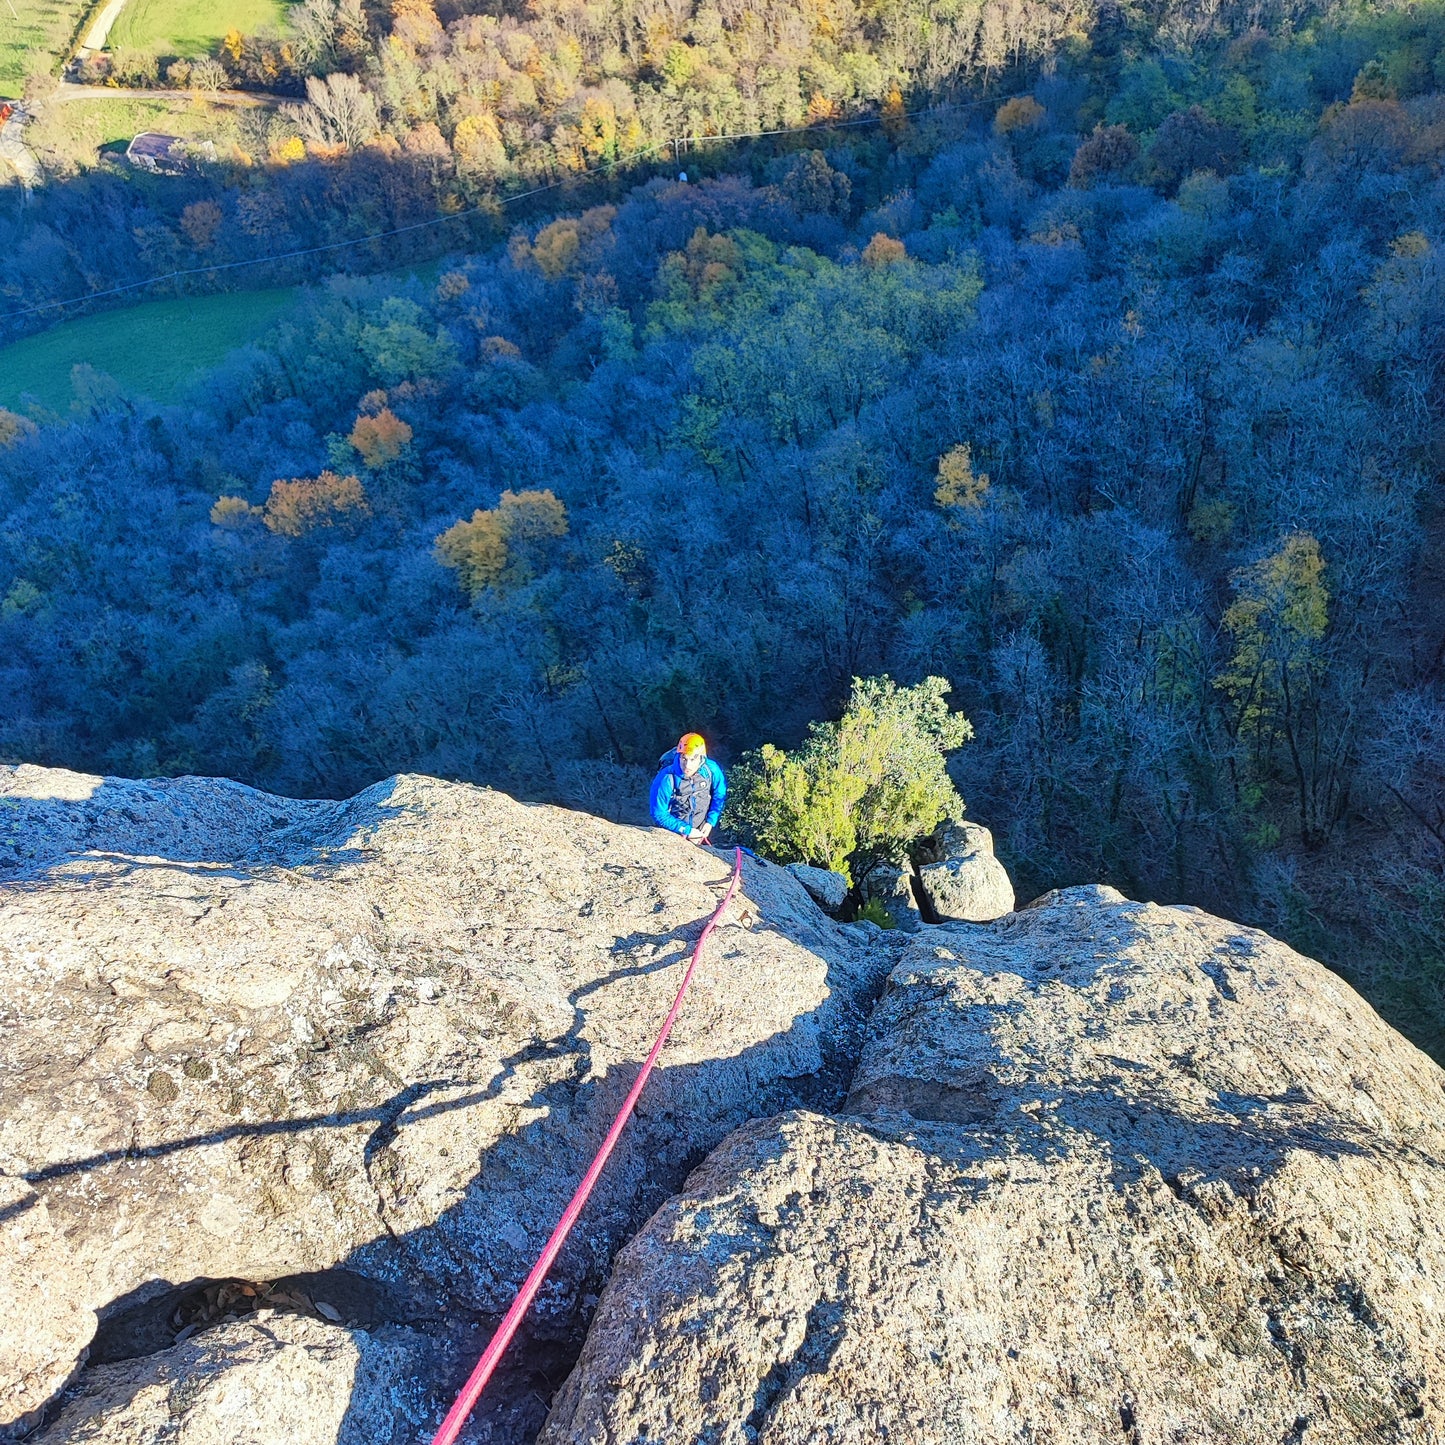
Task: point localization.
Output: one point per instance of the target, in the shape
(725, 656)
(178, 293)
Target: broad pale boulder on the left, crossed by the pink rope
(246, 1037)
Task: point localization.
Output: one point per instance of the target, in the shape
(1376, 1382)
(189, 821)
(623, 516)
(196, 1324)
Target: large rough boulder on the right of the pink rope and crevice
(1109, 1171)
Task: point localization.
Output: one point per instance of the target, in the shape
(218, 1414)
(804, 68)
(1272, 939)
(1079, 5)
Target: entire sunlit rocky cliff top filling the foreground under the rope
(291, 1093)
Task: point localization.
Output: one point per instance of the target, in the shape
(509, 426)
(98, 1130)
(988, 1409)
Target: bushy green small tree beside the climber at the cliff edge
(860, 790)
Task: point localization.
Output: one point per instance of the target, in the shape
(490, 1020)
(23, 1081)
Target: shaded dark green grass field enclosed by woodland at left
(157, 350)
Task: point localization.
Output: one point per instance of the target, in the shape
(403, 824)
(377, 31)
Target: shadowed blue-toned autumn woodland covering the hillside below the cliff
(1113, 400)
